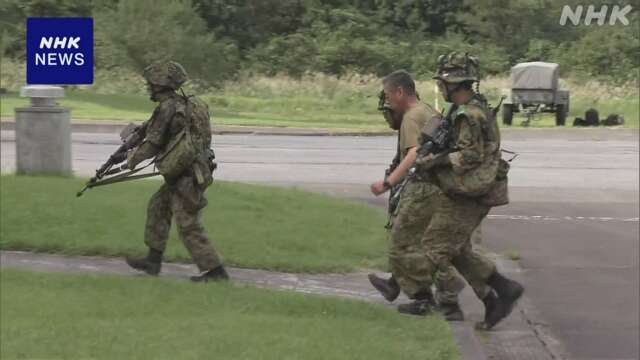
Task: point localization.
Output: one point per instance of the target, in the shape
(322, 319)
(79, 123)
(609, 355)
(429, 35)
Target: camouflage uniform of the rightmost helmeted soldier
(453, 218)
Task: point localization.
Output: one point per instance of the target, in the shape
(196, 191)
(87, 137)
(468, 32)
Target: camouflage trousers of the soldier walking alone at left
(183, 200)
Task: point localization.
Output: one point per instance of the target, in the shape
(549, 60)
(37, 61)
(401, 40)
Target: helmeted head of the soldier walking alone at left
(164, 76)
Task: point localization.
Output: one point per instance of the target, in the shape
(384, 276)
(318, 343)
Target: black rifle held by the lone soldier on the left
(131, 136)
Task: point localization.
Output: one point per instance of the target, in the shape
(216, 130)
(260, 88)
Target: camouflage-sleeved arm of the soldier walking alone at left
(155, 136)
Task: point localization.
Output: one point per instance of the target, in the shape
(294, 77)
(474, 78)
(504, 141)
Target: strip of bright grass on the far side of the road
(302, 111)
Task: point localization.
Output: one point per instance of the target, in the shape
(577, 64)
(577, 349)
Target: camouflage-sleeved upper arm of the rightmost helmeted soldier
(469, 144)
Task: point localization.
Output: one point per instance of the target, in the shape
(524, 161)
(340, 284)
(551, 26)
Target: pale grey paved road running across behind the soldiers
(548, 167)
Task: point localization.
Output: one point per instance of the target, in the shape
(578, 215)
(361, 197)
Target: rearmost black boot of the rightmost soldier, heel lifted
(499, 304)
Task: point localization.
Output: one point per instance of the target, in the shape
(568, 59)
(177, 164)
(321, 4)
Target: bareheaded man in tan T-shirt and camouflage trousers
(405, 113)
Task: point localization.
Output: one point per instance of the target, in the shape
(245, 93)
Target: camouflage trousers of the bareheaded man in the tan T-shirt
(406, 251)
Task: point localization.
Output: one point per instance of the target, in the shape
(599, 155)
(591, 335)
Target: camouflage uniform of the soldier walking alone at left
(180, 197)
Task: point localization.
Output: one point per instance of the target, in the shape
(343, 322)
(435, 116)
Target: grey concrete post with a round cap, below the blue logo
(43, 133)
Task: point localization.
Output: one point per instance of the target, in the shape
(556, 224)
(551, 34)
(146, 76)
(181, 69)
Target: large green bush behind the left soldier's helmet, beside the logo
(137, 33)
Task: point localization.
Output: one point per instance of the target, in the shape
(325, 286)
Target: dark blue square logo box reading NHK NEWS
(60, 50)
